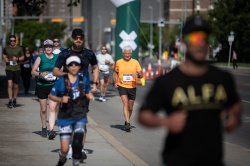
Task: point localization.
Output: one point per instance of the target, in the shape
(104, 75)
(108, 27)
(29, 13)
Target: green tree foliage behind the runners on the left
(33, 30)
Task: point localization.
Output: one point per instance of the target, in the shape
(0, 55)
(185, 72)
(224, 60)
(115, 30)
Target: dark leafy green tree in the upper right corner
(227, 16)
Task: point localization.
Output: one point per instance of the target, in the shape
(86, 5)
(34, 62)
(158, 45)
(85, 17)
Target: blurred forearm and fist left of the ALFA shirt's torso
(175, 122)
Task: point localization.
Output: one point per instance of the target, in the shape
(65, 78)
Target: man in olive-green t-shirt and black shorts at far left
(13, 54)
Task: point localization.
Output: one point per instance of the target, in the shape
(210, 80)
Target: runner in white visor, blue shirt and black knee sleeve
(72, 91)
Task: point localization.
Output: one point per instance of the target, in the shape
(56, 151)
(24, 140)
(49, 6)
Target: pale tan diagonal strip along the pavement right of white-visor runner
(133, 158)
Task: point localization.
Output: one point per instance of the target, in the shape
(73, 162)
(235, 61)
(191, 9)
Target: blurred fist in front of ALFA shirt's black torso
(176, 121)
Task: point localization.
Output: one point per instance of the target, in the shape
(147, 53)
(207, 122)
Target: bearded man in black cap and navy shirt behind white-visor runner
(87, 57)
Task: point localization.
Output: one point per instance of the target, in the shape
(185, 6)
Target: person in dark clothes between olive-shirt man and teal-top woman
(26, 69)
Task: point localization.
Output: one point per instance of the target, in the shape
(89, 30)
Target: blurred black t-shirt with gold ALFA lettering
(200, 143)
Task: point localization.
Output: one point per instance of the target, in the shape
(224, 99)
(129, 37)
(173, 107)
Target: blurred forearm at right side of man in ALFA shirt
(233, 120)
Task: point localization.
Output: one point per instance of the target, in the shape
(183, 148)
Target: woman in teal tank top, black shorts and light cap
(46, 80)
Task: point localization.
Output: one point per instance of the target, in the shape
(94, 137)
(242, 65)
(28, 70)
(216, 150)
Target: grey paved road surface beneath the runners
(107, 143)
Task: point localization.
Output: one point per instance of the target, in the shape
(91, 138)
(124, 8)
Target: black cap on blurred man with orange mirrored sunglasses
(195, 24)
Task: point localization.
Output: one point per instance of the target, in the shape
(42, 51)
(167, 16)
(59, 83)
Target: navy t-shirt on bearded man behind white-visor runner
(89, 59)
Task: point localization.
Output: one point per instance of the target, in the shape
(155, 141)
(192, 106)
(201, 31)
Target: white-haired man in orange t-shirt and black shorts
(126, 72)
